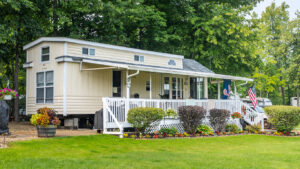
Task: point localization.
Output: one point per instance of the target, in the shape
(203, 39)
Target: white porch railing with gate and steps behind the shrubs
(115, 110)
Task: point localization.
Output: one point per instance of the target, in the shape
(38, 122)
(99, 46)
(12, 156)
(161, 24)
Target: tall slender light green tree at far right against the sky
(277, 41)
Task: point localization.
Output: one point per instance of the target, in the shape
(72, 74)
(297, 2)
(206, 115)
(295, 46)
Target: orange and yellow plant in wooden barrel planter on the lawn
(46, 122)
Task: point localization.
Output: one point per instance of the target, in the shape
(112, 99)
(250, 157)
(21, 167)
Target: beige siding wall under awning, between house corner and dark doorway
(85, 89)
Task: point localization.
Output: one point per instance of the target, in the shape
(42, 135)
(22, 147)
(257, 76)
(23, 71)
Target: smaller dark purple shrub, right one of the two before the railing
(218, 119)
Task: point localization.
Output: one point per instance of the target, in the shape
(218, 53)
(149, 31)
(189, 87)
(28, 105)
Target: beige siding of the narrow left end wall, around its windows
(33, 55)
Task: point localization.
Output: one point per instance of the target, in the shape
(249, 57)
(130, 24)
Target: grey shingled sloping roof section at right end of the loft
(192, 65)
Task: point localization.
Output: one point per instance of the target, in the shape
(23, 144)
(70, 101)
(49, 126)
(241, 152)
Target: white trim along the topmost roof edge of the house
(62, 39)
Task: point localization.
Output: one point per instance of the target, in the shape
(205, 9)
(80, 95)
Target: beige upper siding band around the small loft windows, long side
(122, 56)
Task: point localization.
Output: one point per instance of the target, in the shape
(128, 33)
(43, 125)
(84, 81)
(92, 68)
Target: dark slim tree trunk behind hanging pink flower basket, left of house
(16, 83)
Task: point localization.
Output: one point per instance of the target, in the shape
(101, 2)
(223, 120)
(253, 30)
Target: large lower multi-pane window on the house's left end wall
(44, 87)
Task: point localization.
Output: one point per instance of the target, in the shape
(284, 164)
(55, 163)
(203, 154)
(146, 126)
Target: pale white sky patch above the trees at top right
(294, 6)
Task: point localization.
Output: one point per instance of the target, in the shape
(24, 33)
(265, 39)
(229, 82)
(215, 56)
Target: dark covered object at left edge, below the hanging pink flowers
(4, 117)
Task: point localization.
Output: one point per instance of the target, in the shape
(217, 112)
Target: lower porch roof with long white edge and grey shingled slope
(199, 69)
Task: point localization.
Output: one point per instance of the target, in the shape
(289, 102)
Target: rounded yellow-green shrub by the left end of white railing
(142, 117)
